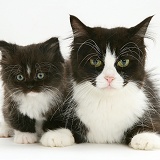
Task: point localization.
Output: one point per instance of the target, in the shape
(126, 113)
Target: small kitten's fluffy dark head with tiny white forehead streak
(31, 69)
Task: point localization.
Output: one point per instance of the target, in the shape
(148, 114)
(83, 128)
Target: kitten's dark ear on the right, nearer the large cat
(51, 49)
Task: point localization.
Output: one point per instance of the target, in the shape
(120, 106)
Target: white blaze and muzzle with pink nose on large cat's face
(109, 77)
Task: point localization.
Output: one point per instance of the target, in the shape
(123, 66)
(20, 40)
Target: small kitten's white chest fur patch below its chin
(34, 104)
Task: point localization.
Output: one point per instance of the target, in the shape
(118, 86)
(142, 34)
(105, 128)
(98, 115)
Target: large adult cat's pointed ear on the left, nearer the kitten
(79, 29)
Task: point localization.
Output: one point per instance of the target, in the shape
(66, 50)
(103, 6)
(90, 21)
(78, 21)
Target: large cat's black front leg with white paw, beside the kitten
(56, 135)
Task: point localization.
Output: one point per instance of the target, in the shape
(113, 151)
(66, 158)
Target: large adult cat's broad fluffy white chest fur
(108, 114)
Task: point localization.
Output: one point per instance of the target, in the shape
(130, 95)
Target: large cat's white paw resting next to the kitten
(57, 138)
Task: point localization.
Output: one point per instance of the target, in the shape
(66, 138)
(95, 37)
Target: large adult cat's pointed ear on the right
(140, 29)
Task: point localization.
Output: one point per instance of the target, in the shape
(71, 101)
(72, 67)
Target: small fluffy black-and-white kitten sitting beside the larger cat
(33, 80)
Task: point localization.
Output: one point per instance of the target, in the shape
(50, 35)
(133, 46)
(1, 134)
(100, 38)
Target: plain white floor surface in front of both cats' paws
(10, 150)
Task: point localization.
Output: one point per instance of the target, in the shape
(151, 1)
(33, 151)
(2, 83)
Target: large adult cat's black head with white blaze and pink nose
(108, 58)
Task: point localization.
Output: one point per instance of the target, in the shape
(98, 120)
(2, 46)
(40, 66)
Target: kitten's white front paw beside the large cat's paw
(25, 137)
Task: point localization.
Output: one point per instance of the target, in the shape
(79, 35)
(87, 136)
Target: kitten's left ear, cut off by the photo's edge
(7, 50)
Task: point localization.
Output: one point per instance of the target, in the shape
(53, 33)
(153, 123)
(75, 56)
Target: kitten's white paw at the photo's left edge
(5, 131)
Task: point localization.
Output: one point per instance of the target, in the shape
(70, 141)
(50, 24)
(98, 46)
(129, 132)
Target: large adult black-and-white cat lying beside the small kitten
(112, 98)
